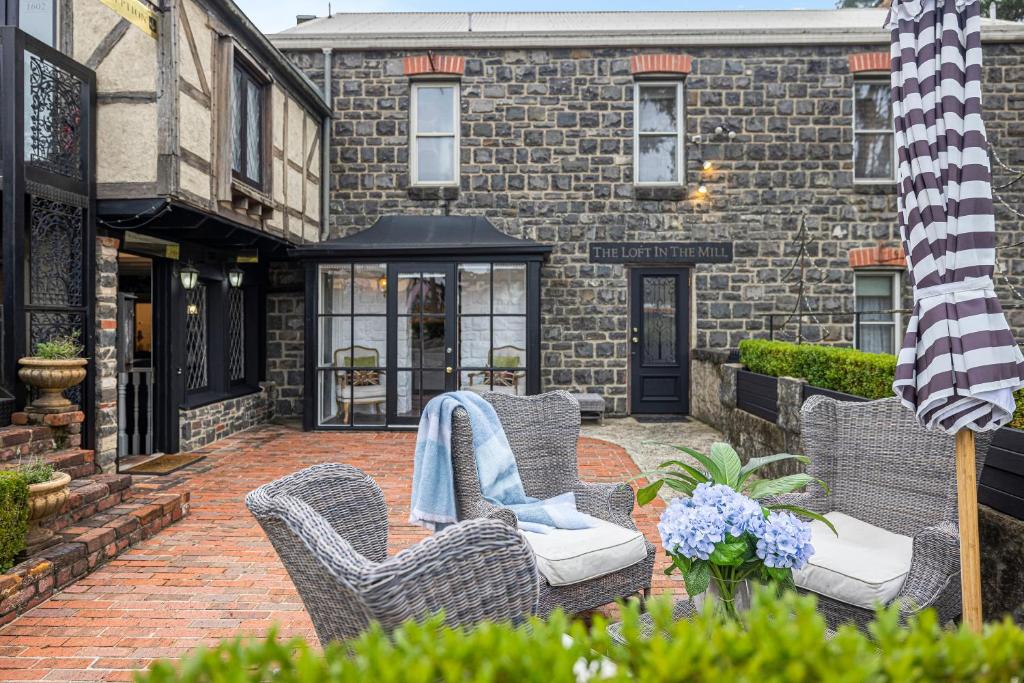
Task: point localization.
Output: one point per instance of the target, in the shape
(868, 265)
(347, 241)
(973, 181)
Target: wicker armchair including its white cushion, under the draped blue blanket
(581, 570)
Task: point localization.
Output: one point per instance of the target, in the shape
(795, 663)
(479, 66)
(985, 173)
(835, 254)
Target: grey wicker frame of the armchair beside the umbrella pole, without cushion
(884, 468)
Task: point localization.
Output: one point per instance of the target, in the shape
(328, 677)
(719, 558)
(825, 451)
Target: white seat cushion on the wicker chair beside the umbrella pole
(864, 567)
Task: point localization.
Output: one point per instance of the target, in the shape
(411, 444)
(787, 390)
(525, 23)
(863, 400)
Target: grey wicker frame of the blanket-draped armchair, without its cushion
(543, 432)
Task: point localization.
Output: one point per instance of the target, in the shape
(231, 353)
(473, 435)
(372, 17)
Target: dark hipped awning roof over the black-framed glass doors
(423, 236)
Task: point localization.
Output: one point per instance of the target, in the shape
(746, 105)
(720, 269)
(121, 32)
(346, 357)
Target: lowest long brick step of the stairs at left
(90, 544)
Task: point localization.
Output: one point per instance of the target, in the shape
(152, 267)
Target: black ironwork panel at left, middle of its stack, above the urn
(56, 275)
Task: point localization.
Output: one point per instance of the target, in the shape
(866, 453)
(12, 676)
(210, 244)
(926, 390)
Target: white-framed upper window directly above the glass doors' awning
(434, 125)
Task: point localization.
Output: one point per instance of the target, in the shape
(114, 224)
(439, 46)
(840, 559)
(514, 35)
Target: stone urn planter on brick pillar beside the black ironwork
(57, 366)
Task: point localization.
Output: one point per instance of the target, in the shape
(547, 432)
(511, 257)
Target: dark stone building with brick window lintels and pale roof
(693, 174)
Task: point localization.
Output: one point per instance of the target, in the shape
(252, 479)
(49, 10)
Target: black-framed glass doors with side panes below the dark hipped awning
(390, 337)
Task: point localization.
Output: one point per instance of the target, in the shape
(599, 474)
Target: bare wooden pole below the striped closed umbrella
(967, 500)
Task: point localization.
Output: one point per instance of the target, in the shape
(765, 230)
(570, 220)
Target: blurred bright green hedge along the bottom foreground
(783, 642)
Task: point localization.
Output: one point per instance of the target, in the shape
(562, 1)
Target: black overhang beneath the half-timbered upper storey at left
(169, 221)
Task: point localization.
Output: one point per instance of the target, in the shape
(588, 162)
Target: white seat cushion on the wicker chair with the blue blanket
(573, 557)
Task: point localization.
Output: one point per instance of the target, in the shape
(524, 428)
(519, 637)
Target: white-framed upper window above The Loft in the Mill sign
(659, 149)
